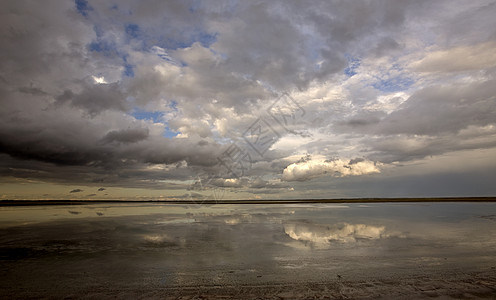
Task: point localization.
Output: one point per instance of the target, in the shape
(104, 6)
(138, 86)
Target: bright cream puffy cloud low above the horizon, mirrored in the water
(306, 170)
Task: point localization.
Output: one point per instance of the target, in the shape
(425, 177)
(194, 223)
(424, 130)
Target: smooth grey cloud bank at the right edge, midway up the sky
(439, 109)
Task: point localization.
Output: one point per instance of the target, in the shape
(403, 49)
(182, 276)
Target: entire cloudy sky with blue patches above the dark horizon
(192, 100)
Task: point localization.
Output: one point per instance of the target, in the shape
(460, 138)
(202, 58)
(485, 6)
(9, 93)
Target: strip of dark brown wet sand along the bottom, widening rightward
(479, 285)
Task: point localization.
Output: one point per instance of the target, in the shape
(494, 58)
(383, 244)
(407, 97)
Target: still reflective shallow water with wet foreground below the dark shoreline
(191, 250)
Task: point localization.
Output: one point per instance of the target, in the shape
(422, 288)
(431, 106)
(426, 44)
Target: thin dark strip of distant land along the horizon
(211, 202)
